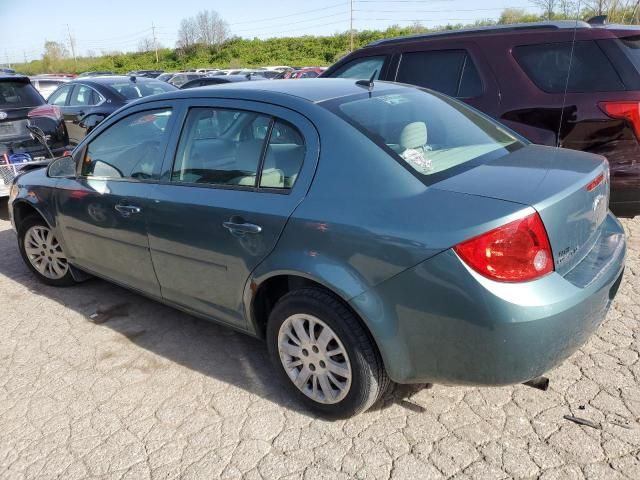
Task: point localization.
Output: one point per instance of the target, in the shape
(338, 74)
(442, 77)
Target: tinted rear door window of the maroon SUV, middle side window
(451, 72)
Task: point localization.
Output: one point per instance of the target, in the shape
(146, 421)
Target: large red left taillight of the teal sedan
(516, 252)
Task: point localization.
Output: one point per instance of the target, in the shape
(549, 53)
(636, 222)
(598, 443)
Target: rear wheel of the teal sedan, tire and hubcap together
(340, 385)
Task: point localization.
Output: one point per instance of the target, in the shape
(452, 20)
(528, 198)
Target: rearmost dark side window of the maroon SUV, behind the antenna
(547, 65)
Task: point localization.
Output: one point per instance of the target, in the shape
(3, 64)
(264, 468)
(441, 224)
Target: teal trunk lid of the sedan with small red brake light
(569, 189)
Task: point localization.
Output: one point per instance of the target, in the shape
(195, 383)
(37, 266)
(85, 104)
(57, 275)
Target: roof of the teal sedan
(313, 89)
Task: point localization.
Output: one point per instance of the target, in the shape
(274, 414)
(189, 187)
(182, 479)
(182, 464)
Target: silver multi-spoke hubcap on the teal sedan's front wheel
(45, 253)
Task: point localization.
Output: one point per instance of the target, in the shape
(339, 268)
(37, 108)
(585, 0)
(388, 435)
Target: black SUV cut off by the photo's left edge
(22, 107)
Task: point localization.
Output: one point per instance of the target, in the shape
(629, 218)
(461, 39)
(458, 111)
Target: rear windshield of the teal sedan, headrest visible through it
(427, 132)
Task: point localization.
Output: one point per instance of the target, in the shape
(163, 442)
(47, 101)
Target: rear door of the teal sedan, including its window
(230, 183)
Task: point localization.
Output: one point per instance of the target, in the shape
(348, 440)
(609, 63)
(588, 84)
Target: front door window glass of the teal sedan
(132, 148)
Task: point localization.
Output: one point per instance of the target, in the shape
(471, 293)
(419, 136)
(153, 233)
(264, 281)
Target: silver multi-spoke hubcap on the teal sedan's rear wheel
(314, 358)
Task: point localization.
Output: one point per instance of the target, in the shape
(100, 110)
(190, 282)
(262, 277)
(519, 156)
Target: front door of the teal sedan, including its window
(102, 211)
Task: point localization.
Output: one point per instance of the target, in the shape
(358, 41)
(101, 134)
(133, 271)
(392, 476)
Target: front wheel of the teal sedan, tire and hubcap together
(30, 230)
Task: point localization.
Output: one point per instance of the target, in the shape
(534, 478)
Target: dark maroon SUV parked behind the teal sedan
(518, 74)
